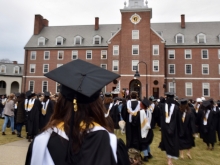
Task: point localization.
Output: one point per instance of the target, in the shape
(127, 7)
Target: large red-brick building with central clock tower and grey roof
(183, 57)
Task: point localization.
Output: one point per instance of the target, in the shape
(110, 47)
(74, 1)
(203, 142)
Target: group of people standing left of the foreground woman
(26, 109)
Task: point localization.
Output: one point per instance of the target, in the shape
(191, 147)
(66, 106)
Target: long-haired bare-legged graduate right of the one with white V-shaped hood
(186, 138)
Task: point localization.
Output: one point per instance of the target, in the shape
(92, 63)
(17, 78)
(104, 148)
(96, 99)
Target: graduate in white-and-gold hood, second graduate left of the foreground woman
(32, 108)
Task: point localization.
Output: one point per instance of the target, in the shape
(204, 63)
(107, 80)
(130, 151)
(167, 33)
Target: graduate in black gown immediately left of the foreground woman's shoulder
(46, 110)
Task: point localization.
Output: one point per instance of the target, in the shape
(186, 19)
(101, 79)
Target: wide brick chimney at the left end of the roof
(39, 24)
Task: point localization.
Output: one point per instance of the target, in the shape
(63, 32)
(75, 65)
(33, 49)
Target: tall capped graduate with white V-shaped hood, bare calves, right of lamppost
(170, 122)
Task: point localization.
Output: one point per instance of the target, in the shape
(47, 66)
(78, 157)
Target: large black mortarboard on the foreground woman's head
(81, 80)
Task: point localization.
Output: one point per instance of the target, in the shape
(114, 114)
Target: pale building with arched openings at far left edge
(10, 77)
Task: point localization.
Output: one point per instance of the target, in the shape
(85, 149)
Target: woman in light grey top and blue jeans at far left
(9, 114)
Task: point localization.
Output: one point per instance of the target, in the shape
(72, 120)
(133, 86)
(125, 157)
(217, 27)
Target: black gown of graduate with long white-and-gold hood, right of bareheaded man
(143, 142)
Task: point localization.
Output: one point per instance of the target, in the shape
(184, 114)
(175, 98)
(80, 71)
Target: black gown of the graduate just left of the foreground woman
(44, 119)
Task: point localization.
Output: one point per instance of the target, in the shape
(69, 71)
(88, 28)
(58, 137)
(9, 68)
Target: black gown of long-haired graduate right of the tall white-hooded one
(186, 139)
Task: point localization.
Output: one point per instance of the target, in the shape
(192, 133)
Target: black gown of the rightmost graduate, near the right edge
(207, 132)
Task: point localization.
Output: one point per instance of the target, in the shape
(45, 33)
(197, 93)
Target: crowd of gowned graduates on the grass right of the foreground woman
(180, 122)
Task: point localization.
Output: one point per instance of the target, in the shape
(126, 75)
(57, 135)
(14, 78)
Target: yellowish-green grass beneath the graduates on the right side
(200, 155)
